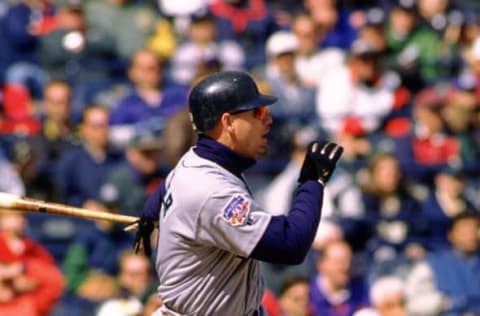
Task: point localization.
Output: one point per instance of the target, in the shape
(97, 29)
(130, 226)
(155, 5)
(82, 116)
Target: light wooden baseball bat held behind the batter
(25, 204)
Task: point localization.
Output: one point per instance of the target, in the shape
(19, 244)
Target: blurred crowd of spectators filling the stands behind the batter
(93, 113)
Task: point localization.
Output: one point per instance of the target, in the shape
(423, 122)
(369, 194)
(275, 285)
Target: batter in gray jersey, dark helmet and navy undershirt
(212, 233)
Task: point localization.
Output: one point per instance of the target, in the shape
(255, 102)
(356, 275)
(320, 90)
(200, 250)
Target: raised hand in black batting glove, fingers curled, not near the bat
(320, 161)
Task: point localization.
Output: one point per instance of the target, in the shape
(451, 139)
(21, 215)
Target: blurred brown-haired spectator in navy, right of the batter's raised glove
(392, 215)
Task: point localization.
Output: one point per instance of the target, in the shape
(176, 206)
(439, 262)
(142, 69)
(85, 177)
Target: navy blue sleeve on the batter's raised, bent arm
(288, 239)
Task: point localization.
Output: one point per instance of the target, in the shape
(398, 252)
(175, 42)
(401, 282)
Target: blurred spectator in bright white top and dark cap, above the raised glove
(358, 89)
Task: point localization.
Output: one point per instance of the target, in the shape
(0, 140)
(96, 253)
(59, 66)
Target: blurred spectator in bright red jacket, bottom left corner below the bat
(30, 282)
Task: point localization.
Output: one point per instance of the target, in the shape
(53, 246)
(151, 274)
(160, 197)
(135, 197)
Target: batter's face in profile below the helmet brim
(251, 128)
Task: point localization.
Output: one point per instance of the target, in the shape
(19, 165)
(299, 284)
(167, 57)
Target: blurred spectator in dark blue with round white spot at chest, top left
(79, 53)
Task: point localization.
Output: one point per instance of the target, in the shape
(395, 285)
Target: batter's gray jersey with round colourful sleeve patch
(208, 226)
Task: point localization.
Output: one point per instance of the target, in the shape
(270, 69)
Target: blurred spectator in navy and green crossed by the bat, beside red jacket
(92, 261)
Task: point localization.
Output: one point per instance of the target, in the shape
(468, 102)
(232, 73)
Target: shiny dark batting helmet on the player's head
(223, 92)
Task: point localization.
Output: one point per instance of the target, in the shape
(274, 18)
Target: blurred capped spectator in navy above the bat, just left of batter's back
(140, 174)
